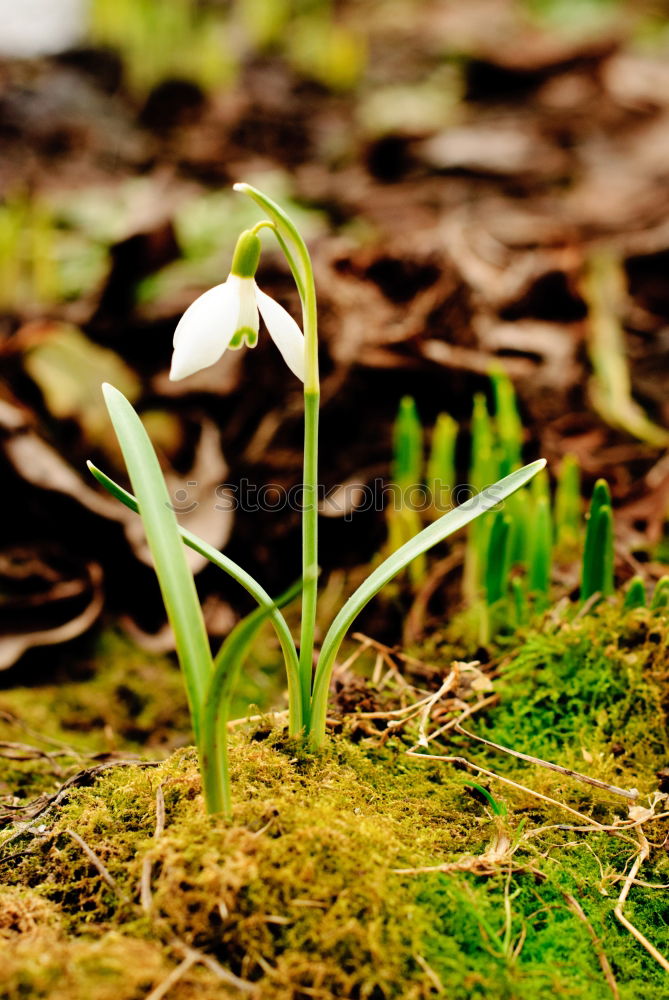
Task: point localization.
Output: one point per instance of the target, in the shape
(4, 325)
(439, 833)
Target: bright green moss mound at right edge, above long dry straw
(590, 690)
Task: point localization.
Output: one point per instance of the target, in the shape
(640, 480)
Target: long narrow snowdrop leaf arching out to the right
(394, 564)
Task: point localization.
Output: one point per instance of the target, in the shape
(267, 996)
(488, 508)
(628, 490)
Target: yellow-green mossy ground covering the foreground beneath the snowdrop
(301, 895)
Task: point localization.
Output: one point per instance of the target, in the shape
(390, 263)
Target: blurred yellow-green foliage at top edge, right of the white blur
(200, 43)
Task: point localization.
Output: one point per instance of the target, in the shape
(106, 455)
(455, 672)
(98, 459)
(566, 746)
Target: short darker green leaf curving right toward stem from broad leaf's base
(216, 712)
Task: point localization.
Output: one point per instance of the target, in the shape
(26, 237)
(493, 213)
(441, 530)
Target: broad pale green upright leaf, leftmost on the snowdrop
(162, 534)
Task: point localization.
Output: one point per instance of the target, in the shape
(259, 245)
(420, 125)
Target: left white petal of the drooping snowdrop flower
(205, 330)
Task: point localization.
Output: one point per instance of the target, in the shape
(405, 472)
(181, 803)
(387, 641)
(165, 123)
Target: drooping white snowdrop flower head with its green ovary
(226, 317)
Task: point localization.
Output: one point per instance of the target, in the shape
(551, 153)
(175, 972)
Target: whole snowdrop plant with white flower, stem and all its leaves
(210, 680)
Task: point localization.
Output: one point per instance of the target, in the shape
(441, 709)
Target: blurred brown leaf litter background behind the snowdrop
(484, 187)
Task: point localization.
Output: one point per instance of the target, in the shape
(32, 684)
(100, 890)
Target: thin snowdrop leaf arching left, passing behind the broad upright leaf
(246, 581)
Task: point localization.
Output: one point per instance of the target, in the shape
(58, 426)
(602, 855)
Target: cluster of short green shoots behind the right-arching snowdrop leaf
(510, 557)
